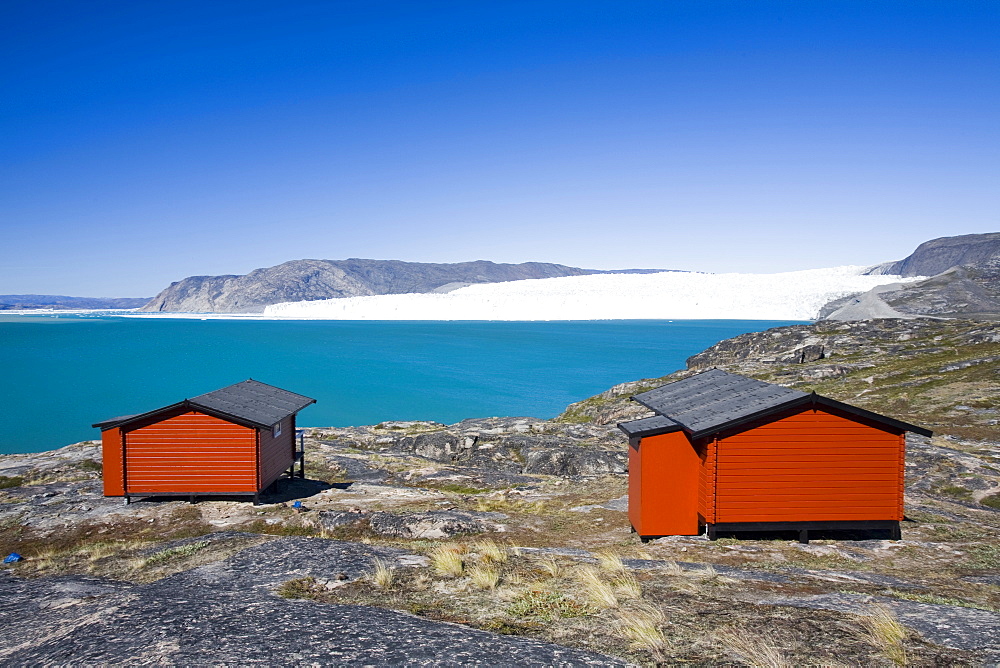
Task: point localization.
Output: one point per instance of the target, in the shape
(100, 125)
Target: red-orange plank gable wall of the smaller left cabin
(189, 453)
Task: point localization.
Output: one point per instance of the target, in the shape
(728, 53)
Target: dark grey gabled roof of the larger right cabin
(714, 400)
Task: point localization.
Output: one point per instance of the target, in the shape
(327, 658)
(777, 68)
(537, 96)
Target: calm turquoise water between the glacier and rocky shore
(63, 373)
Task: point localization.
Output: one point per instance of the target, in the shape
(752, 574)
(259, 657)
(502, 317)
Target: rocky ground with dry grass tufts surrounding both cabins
(505, 541)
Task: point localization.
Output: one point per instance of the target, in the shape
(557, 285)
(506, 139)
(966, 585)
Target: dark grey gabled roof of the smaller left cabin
(250, 402)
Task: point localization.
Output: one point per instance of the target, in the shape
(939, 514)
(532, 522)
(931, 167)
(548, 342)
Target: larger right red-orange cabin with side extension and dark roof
(729, 453)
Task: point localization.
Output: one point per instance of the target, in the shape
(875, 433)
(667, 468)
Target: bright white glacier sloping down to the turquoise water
(794, 295)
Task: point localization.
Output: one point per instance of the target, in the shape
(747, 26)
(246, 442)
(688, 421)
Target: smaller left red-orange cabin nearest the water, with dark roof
(234, 441)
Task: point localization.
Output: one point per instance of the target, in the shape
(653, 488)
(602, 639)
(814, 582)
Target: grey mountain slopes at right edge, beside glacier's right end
(964, 282)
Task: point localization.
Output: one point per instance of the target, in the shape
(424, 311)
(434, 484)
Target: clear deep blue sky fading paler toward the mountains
(142, 142)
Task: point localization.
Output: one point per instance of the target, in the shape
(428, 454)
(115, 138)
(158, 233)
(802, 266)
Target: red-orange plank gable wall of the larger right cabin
(811, 465)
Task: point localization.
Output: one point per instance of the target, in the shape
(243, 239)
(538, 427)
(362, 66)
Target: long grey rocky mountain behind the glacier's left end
(308, 280)
